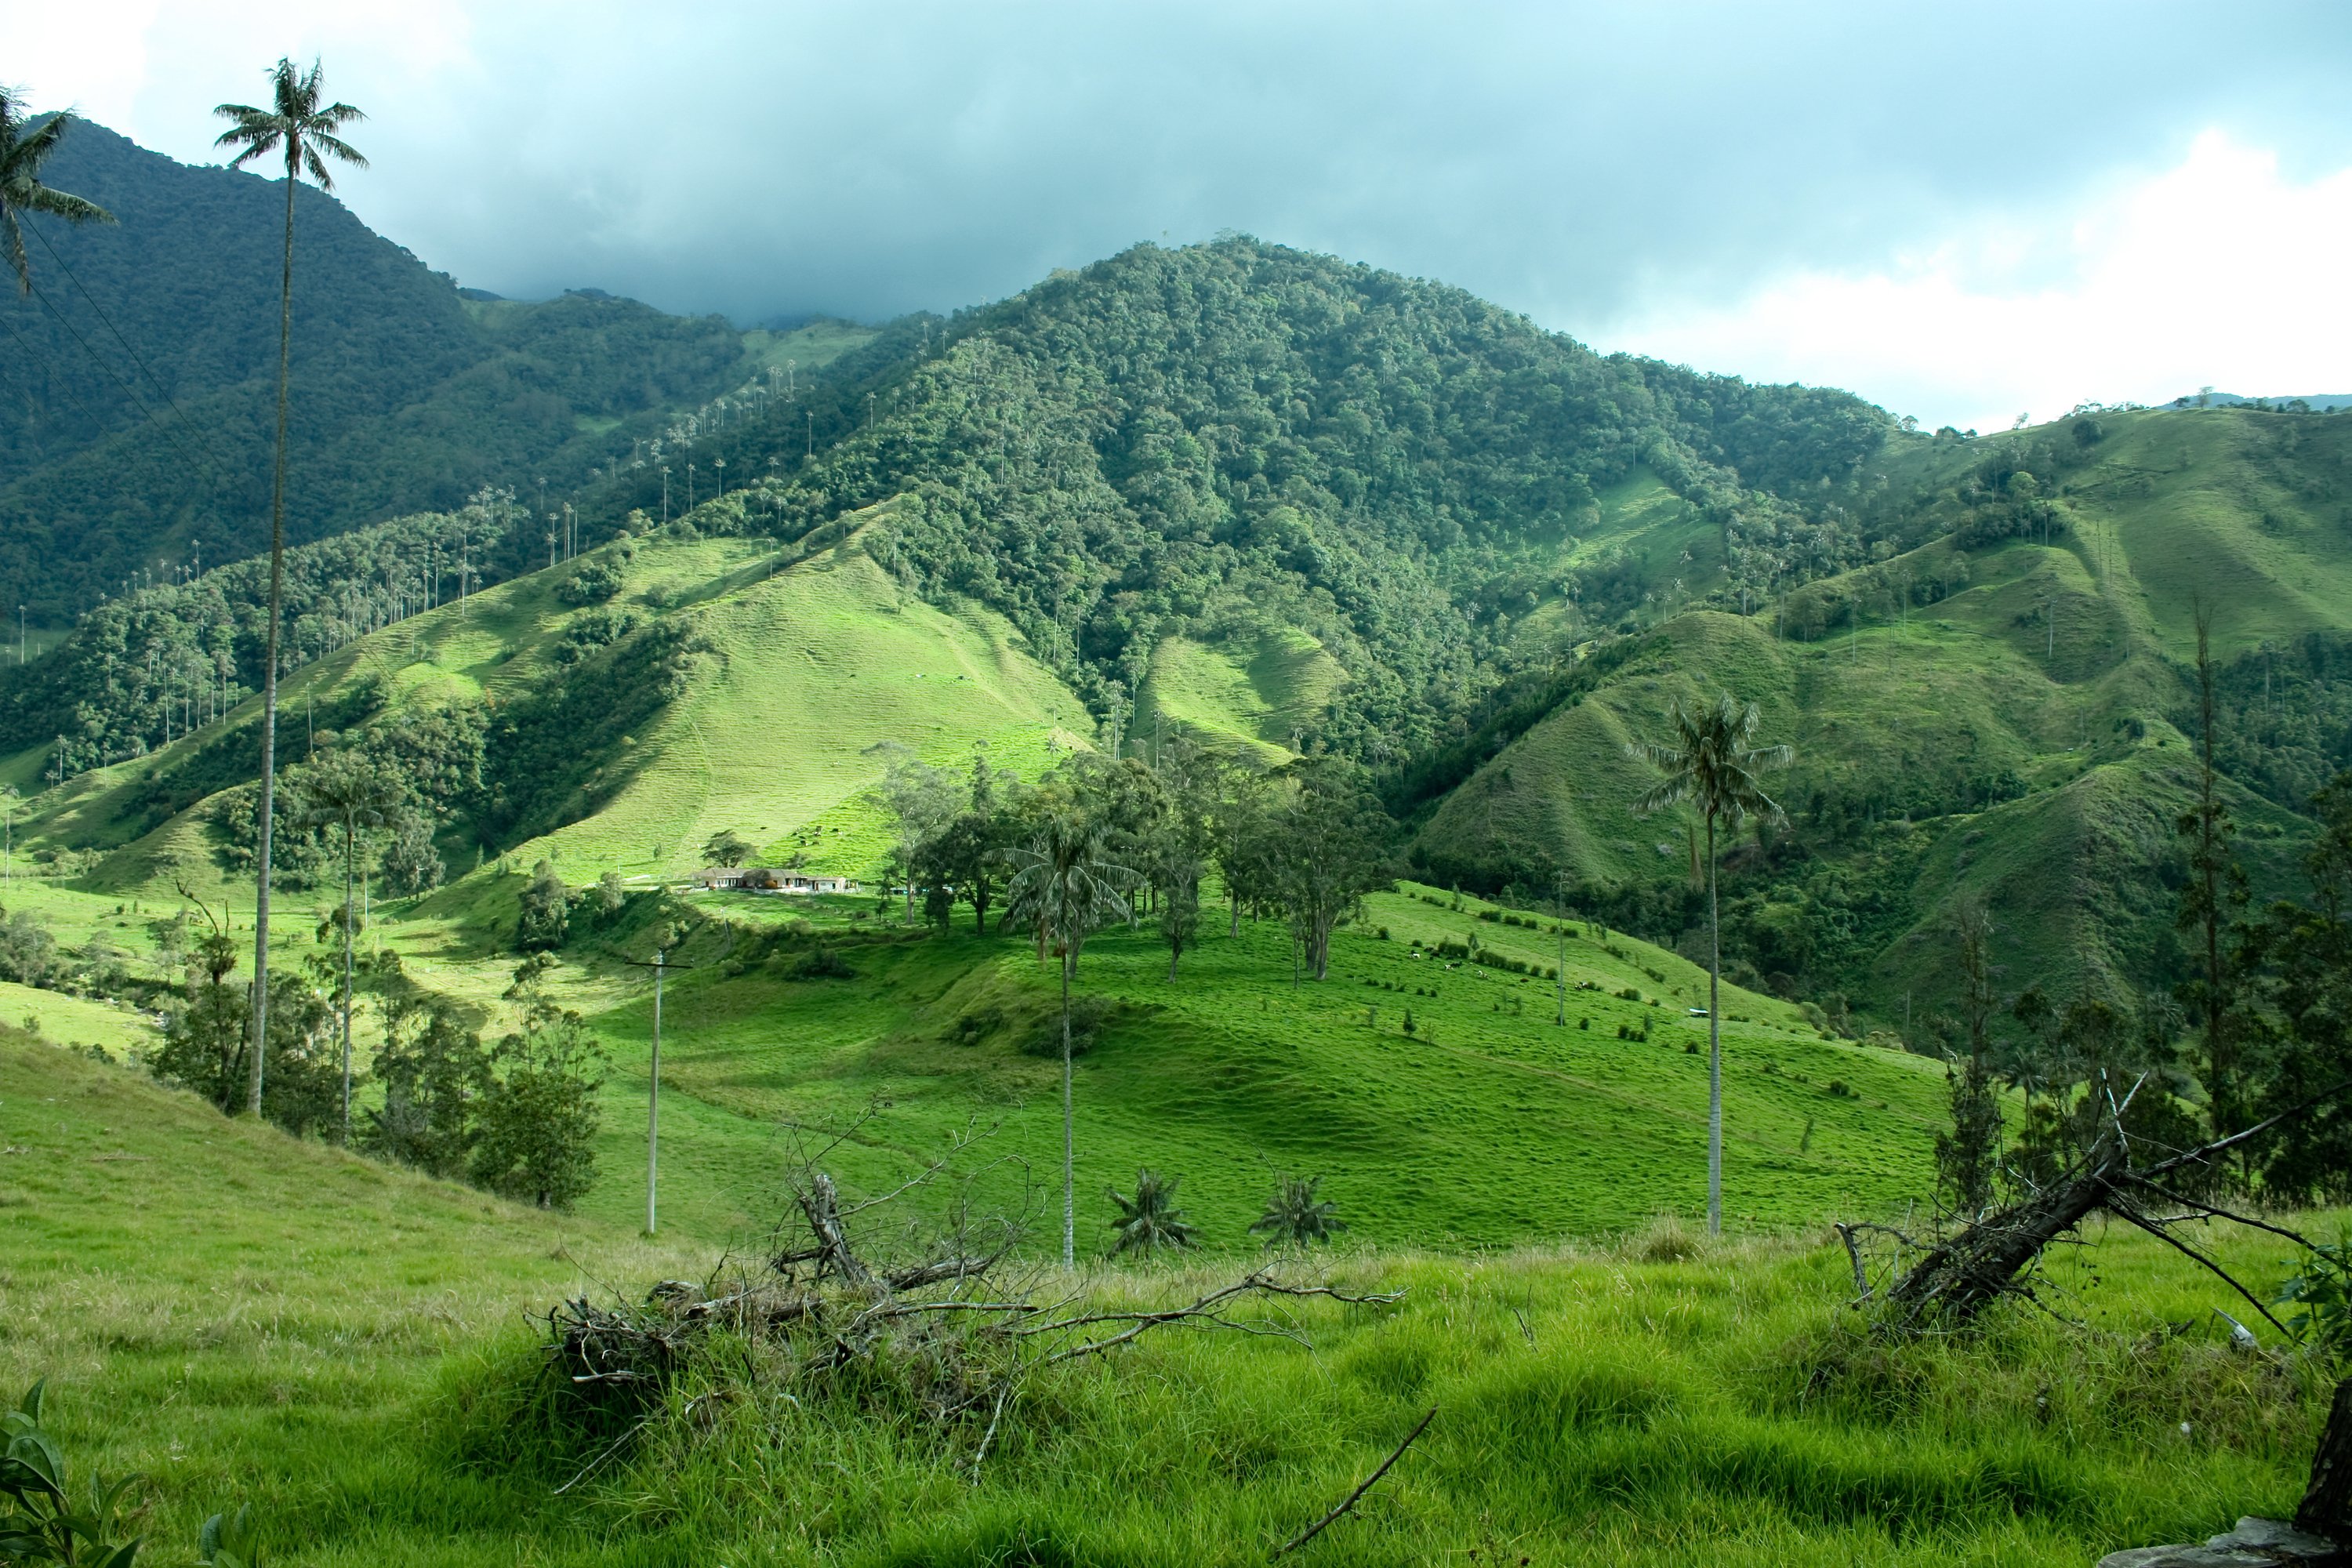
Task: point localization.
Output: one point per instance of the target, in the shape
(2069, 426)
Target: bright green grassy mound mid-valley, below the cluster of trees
(1488, 1125)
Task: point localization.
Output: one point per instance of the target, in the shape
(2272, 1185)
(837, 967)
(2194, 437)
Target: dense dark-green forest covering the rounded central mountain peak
(1229, 436)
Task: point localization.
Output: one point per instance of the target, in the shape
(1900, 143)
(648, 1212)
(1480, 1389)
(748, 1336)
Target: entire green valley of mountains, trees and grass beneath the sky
(1238, 697)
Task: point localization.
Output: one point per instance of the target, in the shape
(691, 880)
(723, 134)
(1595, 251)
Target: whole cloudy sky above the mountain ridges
(1965, 213)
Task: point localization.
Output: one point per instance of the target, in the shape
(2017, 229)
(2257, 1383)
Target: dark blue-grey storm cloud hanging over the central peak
(1565, 161)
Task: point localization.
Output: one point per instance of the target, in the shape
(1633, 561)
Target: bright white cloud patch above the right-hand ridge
(2212, 274)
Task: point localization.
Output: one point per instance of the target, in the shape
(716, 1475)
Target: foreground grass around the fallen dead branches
(248, 1318)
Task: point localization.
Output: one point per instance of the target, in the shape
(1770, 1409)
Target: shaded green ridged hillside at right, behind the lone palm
(2005, 723)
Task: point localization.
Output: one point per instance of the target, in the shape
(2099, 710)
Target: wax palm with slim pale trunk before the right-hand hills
(1713, 768)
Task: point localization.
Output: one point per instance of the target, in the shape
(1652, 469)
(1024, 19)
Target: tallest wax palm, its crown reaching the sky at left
(300, 128)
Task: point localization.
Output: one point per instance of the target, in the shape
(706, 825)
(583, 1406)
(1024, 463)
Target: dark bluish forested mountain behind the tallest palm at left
(140, 382)
